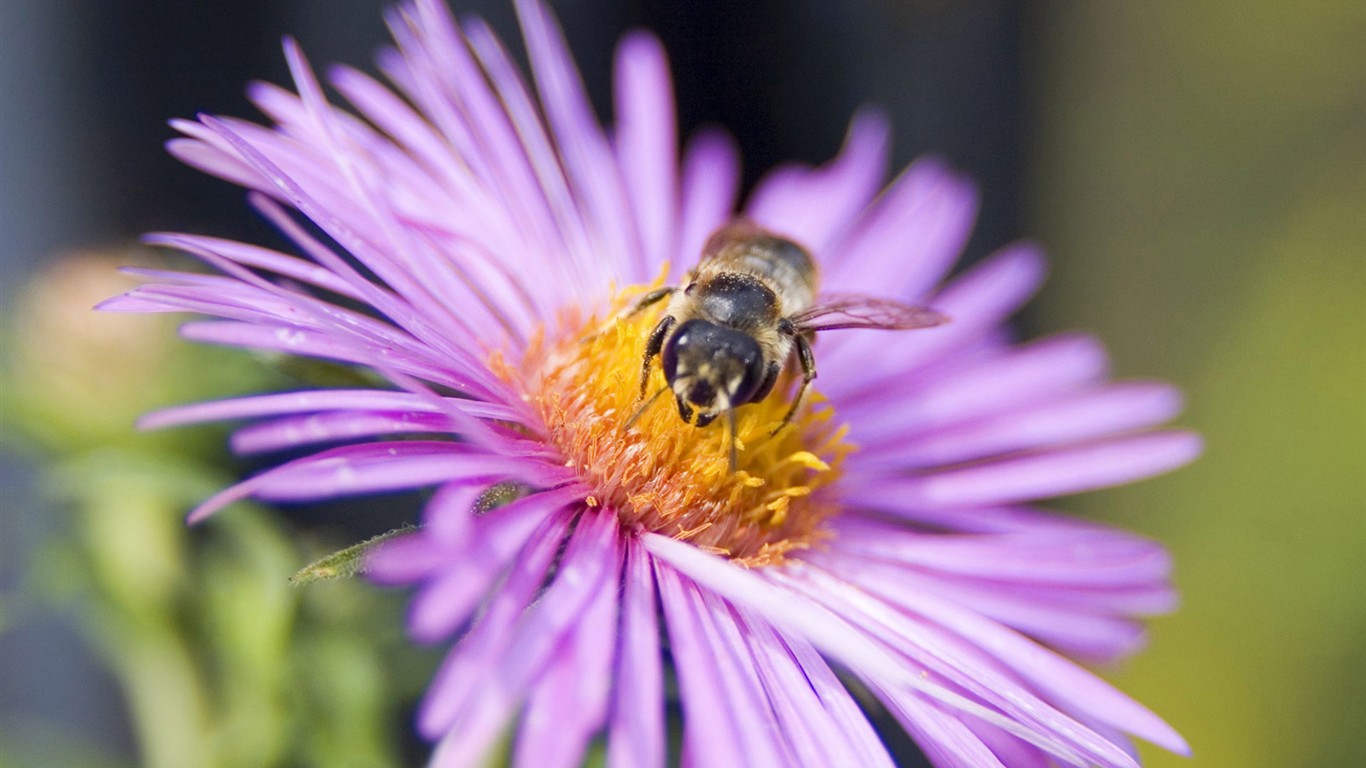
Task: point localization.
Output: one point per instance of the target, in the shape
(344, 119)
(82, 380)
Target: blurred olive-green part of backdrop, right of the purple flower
(1200, 176)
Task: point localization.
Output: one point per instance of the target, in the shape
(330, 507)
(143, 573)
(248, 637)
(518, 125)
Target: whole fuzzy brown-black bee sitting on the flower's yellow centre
(747, 308)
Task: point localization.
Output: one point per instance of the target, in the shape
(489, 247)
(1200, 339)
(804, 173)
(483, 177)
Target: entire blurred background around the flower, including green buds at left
(1197, 172)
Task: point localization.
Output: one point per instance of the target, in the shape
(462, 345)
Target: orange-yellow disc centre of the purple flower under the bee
(666, 476)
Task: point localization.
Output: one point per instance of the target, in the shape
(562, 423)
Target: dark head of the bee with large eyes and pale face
(711, 368)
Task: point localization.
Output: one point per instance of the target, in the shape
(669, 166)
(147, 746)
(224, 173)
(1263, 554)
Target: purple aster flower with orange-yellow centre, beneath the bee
(473, 240)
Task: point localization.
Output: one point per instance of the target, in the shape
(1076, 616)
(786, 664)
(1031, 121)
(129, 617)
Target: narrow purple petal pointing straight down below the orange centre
(636, 735)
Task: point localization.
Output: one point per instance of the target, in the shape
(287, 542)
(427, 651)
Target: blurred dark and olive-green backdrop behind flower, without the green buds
(1199, 173)
